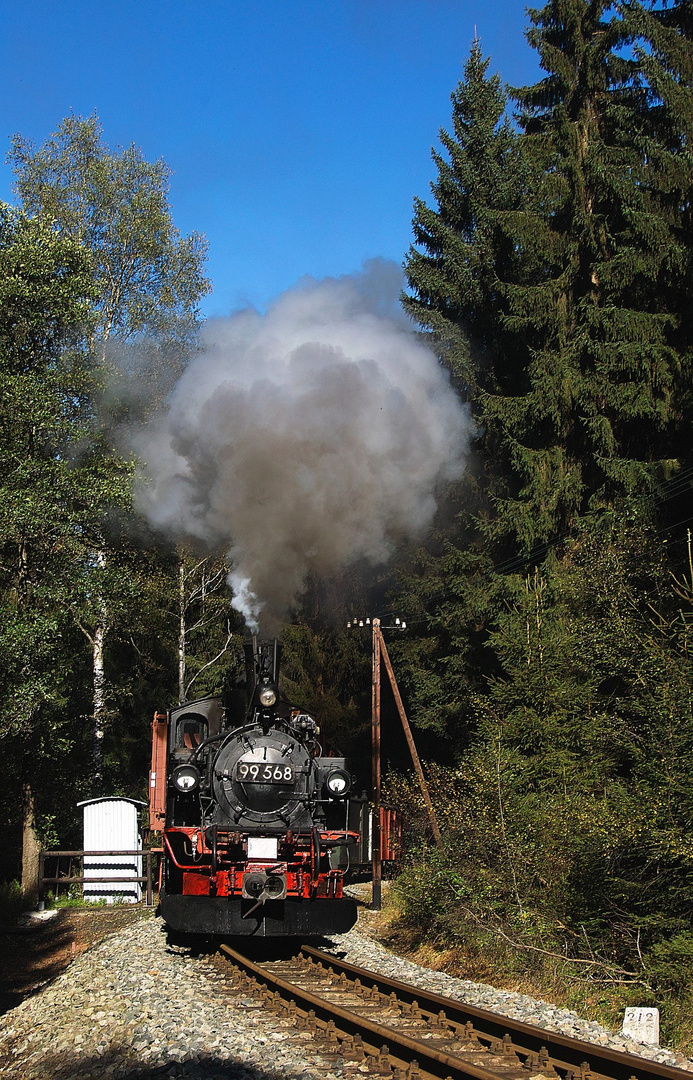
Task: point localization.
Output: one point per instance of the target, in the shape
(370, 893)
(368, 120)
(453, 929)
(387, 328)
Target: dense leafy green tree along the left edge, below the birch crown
(53, 492)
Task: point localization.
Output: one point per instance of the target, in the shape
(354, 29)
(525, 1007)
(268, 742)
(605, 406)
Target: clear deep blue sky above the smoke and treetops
(300, 131)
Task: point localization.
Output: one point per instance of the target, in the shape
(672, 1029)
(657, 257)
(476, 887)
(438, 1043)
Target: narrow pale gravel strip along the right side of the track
(360, 949)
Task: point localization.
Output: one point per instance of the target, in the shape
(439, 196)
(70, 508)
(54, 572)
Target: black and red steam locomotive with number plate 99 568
(251, 812)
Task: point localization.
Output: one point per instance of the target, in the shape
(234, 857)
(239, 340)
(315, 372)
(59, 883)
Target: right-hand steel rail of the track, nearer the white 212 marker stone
(568, 1055)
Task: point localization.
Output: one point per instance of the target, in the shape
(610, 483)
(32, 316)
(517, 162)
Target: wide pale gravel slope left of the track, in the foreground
(134, 1008)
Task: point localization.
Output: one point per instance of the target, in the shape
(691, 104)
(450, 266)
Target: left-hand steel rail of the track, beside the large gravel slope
(381, 1039)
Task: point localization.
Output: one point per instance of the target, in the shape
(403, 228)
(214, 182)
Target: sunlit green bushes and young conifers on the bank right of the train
(567, 822)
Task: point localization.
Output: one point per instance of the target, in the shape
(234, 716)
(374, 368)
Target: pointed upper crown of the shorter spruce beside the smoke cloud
(459, 252)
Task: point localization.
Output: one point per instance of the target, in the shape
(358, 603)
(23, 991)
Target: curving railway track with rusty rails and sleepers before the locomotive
(379, 1025)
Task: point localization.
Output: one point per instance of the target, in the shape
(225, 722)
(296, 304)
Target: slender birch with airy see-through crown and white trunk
(150, 281)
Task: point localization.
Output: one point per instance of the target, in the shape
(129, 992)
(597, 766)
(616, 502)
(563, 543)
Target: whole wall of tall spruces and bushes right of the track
(551, 616)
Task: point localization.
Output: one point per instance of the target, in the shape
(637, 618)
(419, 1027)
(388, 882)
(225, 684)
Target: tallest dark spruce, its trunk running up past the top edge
(595, 420)
